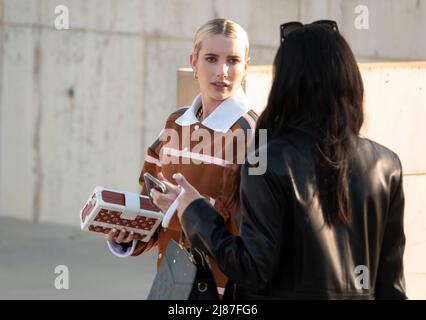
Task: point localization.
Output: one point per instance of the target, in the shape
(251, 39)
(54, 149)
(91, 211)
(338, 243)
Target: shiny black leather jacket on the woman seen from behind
(285, 249)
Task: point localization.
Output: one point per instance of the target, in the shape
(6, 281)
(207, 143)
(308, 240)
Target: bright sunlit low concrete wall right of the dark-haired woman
(396, 111)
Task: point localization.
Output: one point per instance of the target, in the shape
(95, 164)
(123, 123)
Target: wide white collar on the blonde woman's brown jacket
(223, 117)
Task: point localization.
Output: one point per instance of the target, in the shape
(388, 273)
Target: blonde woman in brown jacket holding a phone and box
(219, 58)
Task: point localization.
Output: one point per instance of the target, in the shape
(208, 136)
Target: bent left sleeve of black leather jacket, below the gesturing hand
(250, 259)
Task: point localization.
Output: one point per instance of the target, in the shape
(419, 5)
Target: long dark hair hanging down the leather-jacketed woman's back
(317, 88)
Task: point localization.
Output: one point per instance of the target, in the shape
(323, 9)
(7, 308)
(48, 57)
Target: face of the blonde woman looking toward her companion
(220, 66)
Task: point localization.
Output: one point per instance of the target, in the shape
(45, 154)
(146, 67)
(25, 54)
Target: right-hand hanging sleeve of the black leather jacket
(390, 283)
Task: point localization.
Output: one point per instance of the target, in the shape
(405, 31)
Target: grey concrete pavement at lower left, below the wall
(30, 252)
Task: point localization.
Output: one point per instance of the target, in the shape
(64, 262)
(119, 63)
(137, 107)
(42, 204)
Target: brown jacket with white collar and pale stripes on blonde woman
(210, 172)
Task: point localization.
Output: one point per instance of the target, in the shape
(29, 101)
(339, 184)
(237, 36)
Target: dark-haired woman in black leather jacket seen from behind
(325, 221)
